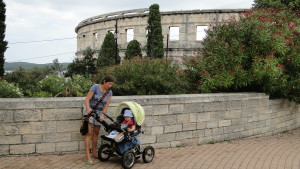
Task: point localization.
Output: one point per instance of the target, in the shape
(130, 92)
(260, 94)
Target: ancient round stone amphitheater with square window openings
(183, 31)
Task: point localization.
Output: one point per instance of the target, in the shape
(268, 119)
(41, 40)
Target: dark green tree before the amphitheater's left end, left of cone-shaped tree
(85, 66)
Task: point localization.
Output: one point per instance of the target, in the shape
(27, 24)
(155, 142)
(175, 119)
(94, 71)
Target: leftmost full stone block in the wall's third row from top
(16, 128)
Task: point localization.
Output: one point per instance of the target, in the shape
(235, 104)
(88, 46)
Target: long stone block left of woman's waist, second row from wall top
(62, 114)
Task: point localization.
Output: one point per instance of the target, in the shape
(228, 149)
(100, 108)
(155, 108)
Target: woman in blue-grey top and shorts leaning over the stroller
(95, 93)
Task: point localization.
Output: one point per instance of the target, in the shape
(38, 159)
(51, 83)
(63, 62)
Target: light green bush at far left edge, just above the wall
(9, 90)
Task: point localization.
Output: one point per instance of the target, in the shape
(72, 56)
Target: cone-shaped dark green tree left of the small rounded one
(107, 55)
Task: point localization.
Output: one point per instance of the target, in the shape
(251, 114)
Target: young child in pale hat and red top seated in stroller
(127, 123)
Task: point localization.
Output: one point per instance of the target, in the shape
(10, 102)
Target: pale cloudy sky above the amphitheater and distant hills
(39, 31)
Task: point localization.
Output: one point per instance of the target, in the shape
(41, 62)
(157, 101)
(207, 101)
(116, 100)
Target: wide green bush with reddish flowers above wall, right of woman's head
(144, 76)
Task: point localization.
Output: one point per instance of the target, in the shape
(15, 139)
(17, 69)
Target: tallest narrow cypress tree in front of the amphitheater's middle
(155, 45)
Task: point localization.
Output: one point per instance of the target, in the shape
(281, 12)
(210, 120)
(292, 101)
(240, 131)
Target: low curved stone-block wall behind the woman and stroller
(51, 125)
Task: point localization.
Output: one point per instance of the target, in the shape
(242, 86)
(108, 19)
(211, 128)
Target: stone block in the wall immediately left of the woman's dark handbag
(68, 126)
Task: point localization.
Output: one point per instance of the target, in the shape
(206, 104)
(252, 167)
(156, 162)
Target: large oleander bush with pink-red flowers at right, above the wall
(258, 53)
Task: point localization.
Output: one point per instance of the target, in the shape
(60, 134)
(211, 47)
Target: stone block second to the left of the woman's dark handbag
(43, 127)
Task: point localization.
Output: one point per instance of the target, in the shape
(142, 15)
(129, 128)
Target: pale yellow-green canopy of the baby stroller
(137, 110)
